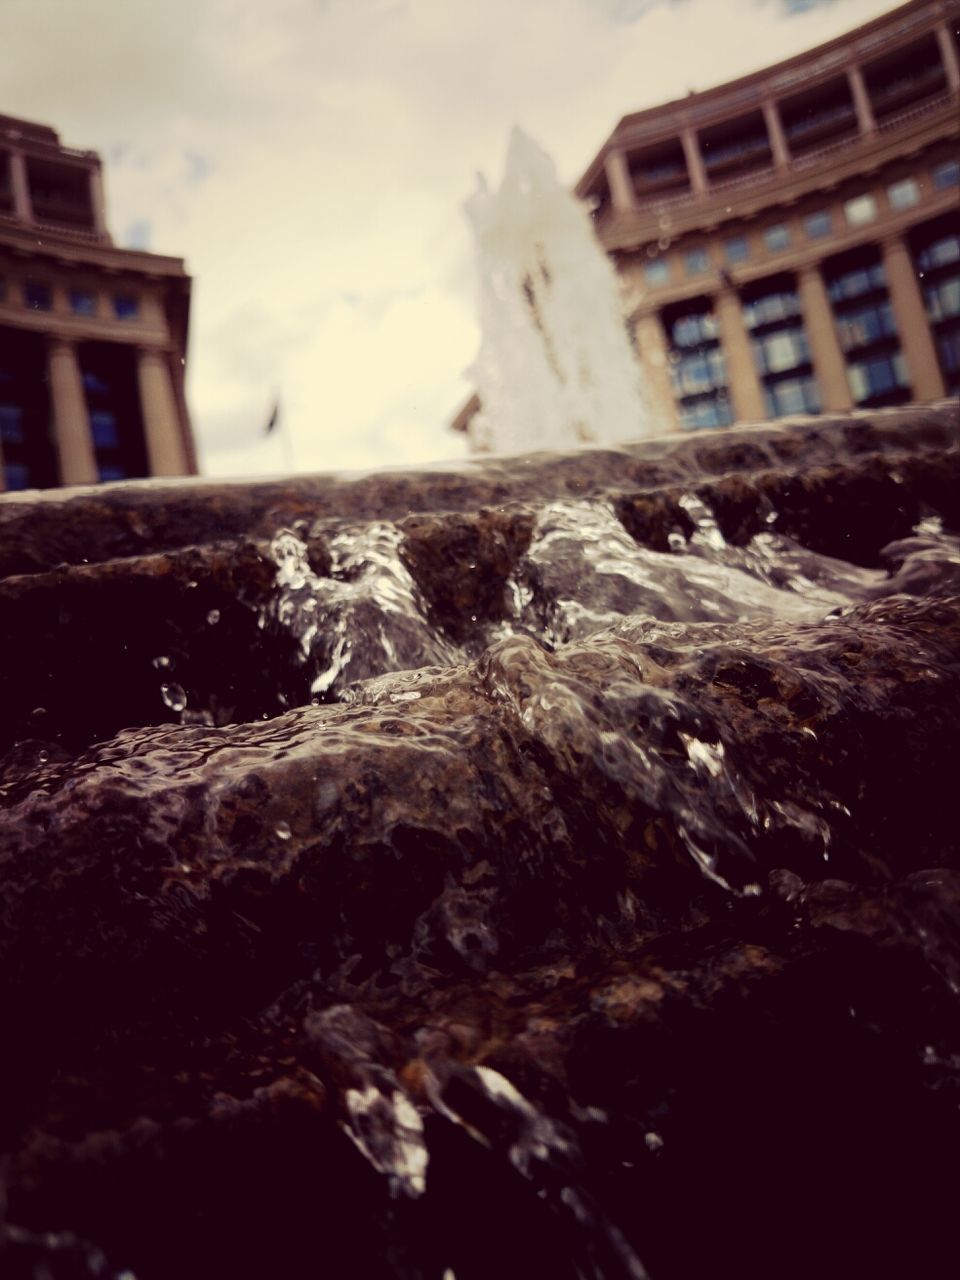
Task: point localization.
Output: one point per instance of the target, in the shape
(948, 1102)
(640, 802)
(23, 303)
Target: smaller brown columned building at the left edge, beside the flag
(93, 337)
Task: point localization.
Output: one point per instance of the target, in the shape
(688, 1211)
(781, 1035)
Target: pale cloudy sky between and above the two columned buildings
(310, 159)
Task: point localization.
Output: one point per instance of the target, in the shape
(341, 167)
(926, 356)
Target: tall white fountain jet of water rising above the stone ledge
(556, 365)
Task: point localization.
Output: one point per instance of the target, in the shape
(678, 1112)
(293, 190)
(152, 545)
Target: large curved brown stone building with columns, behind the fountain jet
(789, 243)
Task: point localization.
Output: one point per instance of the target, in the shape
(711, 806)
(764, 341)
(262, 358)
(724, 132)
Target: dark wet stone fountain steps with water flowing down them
(543, 870)
